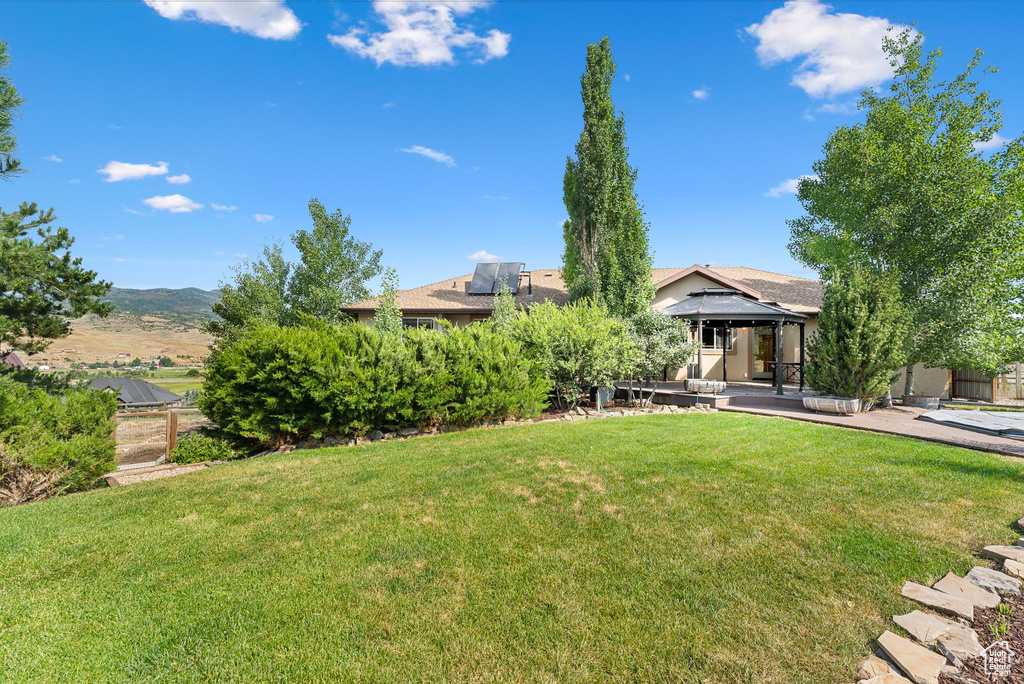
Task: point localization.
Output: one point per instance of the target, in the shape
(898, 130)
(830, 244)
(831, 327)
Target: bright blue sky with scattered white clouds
(186, 143)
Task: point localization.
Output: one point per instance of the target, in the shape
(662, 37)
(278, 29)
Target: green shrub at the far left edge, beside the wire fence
(68, 438)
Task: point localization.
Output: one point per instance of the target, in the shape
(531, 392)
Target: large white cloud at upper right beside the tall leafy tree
(839, 52)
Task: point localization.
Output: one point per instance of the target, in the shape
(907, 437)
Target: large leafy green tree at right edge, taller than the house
(909, 193)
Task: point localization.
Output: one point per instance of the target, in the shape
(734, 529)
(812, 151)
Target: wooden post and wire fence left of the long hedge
(148, 438)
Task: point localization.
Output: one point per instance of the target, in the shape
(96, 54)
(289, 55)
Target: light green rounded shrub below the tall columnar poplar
(578, 347)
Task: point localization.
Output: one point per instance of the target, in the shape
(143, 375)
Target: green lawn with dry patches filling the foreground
(695, 548)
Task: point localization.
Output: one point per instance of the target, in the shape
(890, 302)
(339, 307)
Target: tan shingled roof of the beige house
(450, 296)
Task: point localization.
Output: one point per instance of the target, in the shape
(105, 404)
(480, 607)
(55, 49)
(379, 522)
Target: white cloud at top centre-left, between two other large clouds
(419, 34)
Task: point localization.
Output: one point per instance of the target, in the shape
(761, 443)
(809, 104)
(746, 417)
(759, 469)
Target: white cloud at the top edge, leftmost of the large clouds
(264, 19)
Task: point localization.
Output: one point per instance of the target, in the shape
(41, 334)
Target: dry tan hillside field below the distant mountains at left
(123, 338)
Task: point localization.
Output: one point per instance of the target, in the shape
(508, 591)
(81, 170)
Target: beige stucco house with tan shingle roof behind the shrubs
(750, 352)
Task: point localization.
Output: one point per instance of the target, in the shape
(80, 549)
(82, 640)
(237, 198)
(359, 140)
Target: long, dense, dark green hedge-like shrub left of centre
(273, 384)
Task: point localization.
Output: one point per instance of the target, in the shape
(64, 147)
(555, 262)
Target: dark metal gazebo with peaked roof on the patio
(728, 309)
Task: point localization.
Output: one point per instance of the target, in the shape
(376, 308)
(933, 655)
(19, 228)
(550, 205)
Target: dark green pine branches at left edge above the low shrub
(42, 286)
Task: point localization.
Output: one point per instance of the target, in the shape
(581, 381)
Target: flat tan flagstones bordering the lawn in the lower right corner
(941, 645)
